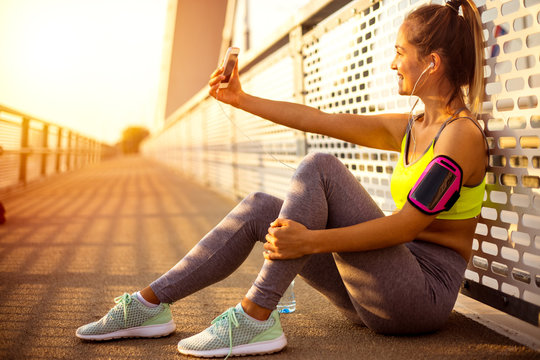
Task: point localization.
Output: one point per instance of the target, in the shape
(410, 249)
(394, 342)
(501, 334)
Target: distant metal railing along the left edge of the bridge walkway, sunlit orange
(31, 149)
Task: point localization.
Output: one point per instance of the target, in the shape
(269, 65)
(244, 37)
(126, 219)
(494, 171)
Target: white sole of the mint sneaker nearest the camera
(258, 348)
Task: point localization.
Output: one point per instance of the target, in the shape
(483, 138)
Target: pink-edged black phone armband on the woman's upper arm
(438, 187)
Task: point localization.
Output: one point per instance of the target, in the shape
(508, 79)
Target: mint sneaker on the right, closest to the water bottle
(233, 334)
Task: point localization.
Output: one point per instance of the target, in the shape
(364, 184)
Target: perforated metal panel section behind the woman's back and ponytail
(507, 241)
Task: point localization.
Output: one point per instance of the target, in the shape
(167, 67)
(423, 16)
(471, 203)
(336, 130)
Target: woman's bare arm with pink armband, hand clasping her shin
(287, 239)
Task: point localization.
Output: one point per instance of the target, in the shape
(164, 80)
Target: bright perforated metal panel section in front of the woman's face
(347, 69)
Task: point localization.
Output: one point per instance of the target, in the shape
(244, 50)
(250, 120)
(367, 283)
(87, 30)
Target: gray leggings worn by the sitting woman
(403, 289)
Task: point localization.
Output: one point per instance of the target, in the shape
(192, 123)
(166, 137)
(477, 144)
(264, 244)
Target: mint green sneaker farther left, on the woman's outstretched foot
(130, 318)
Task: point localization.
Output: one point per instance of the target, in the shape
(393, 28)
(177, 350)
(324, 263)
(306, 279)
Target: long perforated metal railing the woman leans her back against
(338, 60)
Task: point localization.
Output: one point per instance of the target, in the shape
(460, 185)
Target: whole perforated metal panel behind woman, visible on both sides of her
(353, 76)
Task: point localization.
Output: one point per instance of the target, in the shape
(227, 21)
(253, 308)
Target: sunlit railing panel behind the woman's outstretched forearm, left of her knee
(264, 150)
